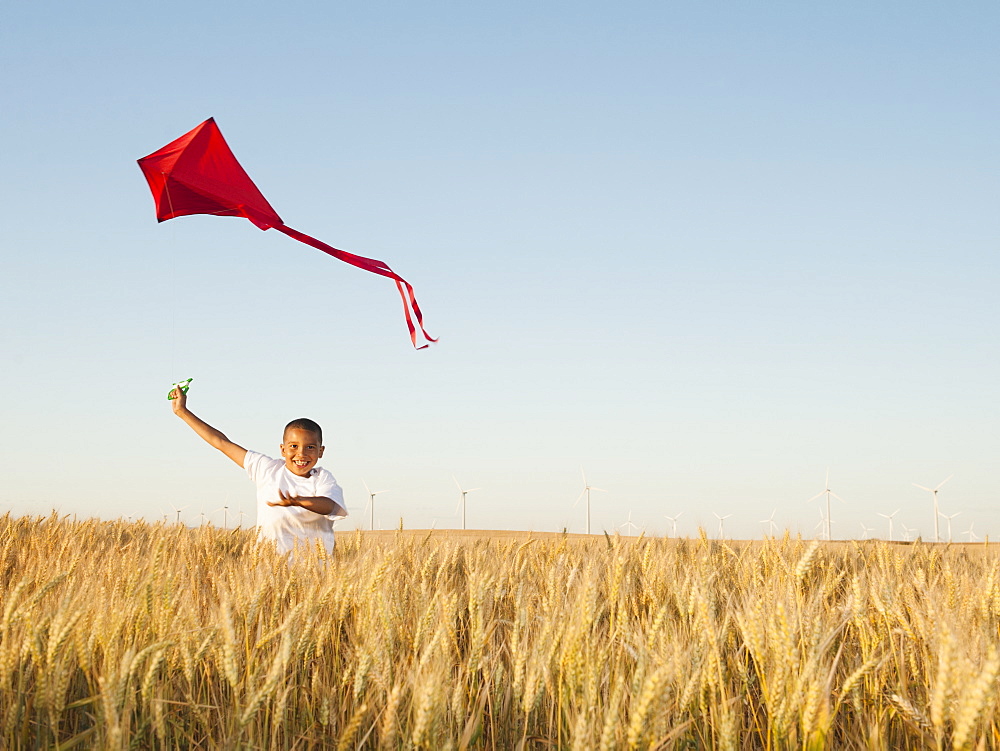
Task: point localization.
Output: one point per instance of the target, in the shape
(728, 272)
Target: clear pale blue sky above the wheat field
(705, 250)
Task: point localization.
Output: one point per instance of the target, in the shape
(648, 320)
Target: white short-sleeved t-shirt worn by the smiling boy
(286, 524)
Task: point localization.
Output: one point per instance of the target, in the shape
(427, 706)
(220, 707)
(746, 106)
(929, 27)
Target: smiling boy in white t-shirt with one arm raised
(296, 500)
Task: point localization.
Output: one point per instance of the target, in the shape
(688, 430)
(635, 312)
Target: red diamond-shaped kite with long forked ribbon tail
(198, 174)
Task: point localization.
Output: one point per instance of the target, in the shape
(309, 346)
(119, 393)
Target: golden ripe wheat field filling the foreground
(120, 635)
